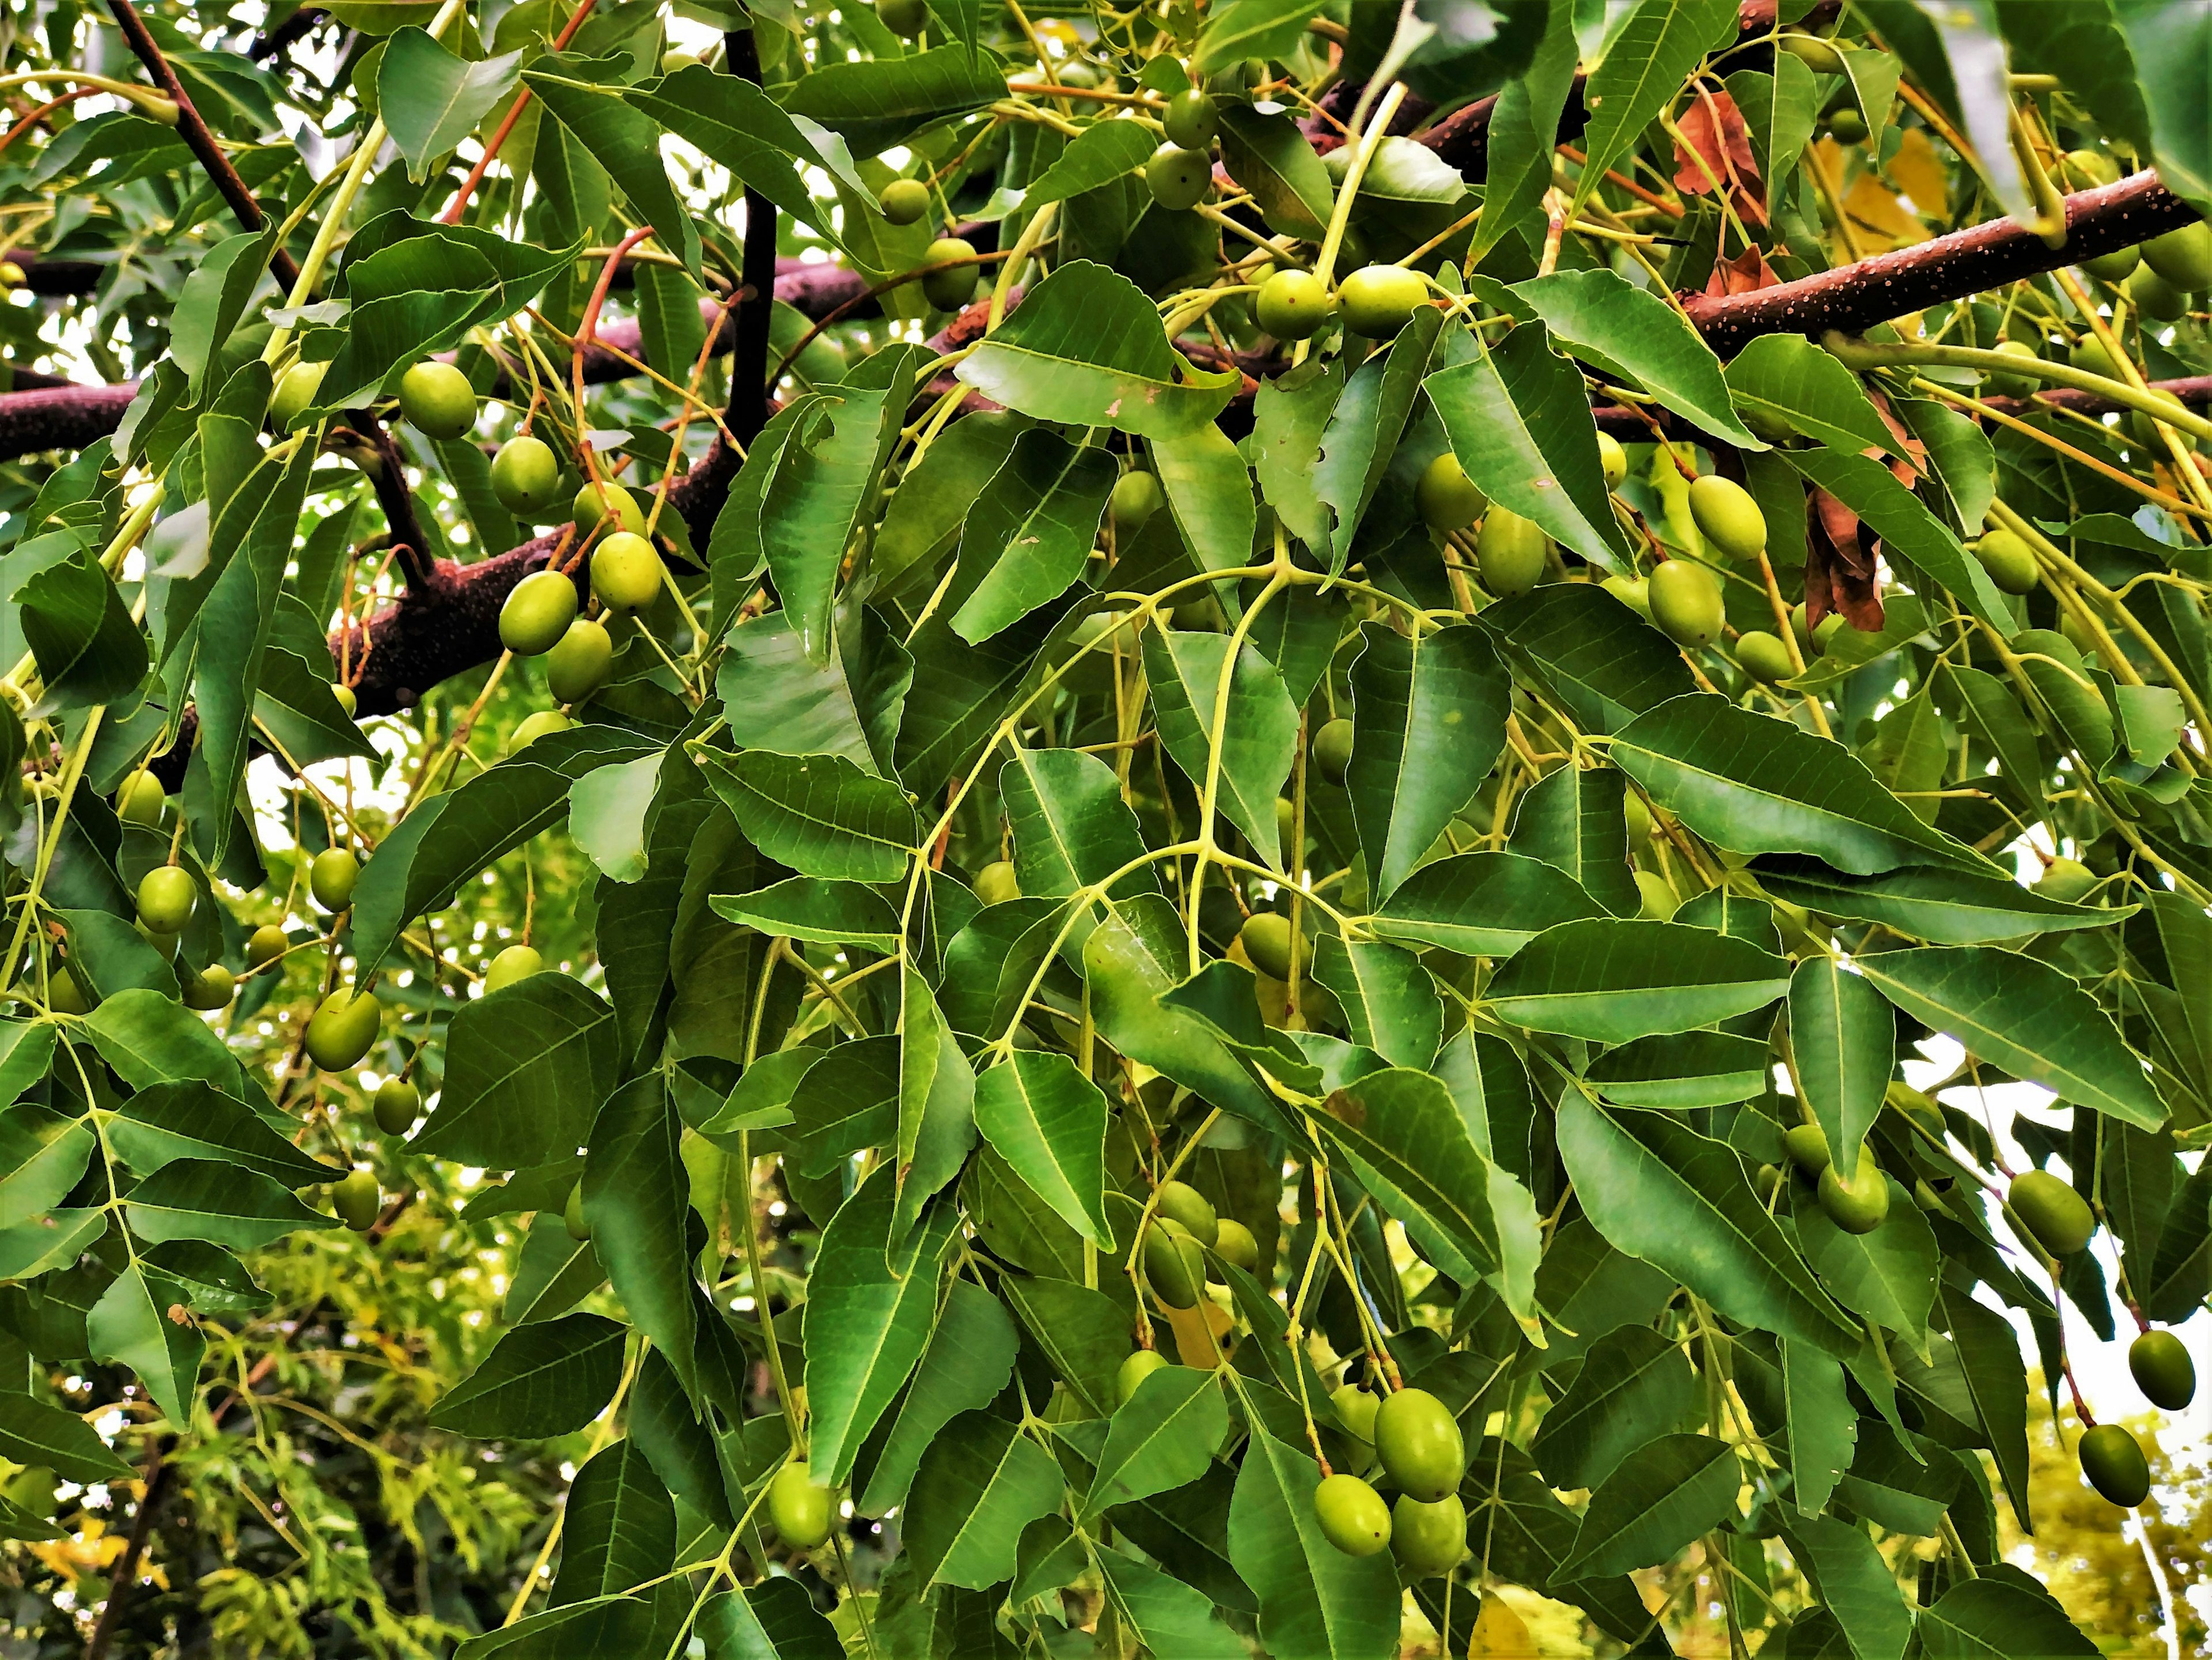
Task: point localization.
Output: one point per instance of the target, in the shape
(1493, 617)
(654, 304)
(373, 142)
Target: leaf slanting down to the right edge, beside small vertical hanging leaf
(2025, 1017)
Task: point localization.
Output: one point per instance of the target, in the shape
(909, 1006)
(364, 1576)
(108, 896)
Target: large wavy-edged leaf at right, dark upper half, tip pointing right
(1755, 785)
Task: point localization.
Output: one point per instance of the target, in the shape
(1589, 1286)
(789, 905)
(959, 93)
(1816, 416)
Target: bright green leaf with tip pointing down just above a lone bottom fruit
(868, 1320)
